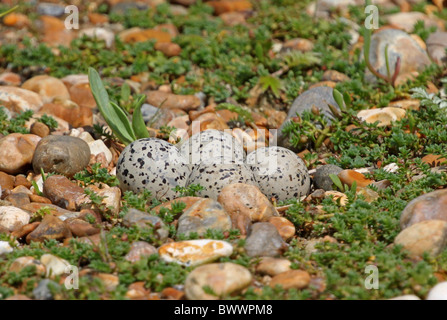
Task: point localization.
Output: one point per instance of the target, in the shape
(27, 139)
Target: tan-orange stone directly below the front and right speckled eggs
(245, 204)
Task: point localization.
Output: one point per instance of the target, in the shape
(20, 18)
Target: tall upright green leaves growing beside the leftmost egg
(114, 115)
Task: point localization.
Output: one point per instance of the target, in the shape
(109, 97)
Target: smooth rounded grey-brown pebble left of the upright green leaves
(63, 155)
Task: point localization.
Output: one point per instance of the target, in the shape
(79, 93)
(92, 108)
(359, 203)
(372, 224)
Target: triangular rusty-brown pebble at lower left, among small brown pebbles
(50, 228)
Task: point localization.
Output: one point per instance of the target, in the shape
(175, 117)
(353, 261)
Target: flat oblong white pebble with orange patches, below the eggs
(195, 252)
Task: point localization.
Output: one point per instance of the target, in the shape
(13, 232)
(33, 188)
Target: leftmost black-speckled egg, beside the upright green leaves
(154, 165)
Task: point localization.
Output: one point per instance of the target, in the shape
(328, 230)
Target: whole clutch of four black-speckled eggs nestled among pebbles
(212, 159)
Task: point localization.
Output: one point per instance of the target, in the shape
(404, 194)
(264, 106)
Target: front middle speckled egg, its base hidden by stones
(214, 176)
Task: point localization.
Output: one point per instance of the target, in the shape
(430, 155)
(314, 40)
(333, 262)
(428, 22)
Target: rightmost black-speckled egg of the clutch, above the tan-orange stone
(279, 172)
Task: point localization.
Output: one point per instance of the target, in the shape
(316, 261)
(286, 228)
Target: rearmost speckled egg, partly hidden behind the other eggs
(211, 144)
